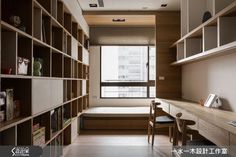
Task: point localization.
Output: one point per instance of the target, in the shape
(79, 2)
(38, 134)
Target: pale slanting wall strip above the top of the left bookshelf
(76, 11)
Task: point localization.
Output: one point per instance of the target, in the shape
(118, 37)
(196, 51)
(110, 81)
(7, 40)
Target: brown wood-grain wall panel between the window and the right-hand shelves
(167, 32)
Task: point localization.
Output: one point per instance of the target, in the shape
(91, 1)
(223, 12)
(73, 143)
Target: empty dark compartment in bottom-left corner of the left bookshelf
(8, 137)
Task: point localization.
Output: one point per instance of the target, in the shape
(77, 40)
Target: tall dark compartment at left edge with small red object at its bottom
(9, 49)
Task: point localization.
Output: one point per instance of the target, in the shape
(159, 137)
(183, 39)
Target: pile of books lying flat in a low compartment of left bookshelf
(38, 135)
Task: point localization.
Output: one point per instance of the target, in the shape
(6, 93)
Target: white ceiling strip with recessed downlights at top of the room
(131, 5)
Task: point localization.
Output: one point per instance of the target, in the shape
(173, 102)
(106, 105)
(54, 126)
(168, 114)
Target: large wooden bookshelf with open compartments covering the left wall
(44, 63)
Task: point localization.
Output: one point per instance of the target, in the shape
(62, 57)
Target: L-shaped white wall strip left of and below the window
(94, 80)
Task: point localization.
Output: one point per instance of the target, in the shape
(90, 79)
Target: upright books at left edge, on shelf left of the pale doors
(9, 108)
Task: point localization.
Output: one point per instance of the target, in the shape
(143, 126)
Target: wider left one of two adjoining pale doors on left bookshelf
(41, 95)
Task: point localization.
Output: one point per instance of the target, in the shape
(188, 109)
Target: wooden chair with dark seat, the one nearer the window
(157, 121)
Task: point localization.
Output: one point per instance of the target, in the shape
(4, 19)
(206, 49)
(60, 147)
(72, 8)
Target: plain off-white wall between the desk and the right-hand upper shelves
(216, 75)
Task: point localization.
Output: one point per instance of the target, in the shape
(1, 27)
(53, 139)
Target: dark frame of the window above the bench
(148, 84)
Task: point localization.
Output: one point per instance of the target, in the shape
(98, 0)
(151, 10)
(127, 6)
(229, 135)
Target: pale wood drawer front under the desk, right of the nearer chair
(215, 134)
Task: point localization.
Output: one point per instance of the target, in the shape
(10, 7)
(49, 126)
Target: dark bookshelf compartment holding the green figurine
(43, 55)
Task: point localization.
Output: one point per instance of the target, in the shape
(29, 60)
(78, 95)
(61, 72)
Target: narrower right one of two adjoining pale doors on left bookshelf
(57, 92)
